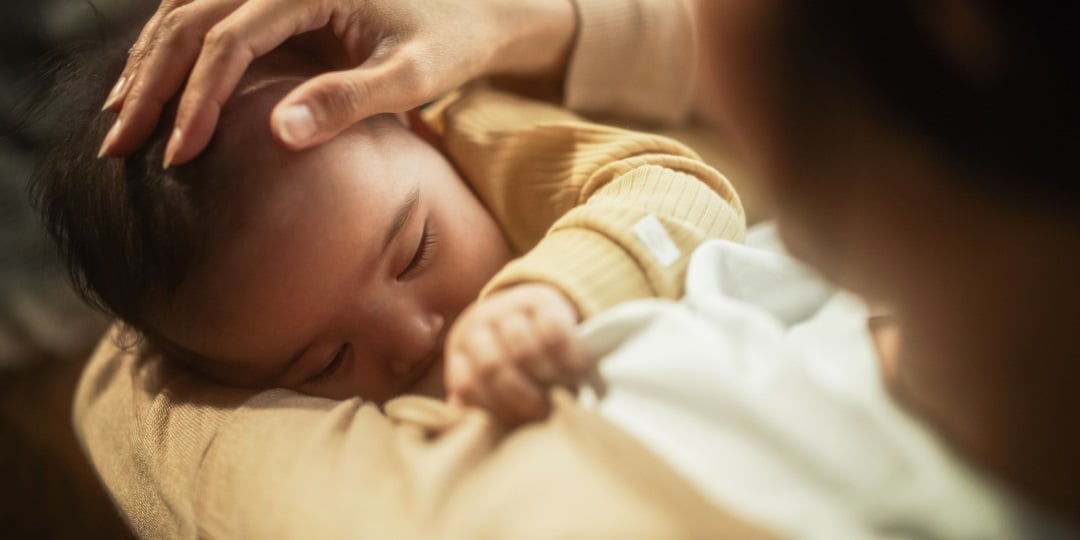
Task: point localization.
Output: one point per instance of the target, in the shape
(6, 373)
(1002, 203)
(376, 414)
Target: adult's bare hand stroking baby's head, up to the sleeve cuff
(399, 55)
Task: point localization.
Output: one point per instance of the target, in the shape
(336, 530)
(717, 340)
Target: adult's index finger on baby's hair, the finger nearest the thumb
(231, 47)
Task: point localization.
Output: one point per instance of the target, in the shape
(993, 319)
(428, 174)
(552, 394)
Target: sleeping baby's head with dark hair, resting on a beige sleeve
(335, 272)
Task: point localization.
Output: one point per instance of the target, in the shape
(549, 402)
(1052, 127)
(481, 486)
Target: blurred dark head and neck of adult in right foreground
(924, 154)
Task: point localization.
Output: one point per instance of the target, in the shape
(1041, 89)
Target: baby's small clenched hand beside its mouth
(506, 352)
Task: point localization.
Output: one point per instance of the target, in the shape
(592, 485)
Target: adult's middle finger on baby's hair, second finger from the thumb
(163, 71)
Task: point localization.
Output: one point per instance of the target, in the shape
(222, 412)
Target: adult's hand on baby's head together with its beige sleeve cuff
(625, 58)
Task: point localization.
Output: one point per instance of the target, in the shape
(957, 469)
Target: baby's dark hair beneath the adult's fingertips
(128, 231)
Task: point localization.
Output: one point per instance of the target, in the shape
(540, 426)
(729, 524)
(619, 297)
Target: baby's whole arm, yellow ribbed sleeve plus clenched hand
(603, 217)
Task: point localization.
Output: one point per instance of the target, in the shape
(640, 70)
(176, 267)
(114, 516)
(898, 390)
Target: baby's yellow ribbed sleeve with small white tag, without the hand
(605, 215)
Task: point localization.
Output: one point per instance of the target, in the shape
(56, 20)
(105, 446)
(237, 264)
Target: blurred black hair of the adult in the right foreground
(1015, 124)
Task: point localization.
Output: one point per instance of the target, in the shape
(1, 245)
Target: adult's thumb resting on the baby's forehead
(322, 107)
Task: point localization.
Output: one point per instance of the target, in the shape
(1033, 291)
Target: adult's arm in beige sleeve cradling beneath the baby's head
(184, 460)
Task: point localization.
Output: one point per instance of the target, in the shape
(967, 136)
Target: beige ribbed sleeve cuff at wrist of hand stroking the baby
(633, 60)
